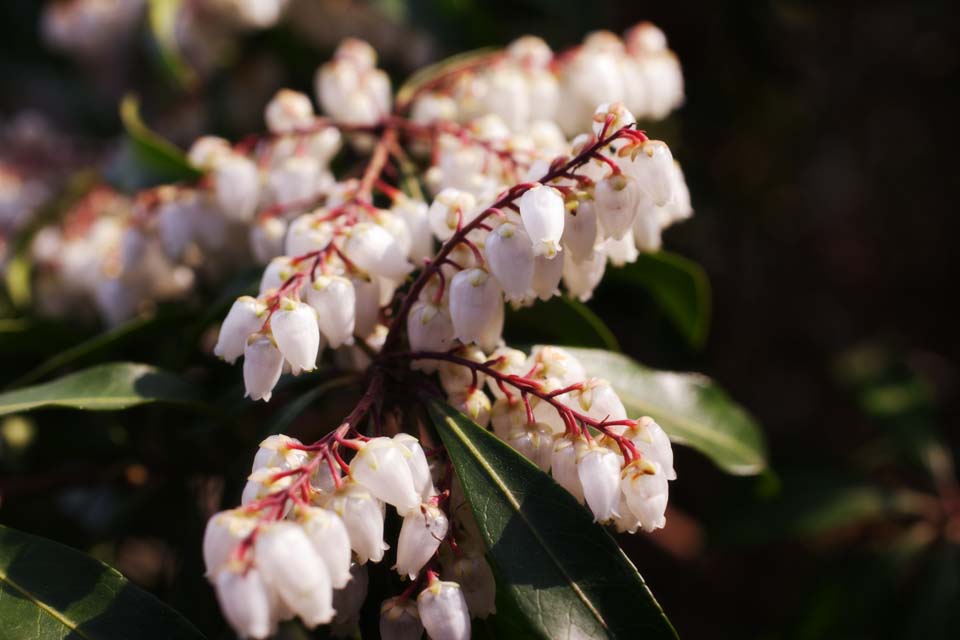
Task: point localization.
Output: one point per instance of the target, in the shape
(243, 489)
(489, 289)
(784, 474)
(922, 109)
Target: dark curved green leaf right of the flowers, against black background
(679, 285)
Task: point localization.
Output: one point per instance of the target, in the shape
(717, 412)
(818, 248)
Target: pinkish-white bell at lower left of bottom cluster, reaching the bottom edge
(247, 602)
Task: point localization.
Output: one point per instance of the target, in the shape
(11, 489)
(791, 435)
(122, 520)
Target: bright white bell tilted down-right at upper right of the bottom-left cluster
(380, 465)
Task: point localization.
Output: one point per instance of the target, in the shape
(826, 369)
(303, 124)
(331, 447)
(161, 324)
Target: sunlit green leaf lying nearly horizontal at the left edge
(107, 387)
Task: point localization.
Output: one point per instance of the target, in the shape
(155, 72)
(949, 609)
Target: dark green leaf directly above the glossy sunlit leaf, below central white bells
(561, 320)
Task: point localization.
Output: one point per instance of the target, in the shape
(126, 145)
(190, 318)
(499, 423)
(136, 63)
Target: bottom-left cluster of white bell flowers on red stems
(309, 524)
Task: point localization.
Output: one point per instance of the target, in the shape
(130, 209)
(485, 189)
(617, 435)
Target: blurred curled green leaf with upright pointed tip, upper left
(147, 159)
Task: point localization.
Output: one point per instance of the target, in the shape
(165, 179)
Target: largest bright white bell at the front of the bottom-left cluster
(291, 566)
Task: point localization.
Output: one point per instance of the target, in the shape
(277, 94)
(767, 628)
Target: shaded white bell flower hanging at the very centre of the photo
(476, 308)
